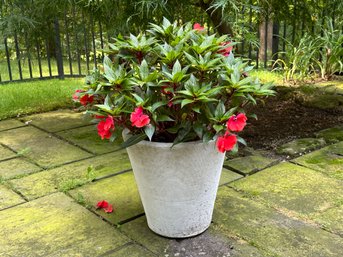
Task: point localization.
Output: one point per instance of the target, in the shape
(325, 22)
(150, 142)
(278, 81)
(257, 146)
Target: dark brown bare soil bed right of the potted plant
(280, 121)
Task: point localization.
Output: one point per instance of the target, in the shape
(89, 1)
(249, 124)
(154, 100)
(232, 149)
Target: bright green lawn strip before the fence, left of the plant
(19, 98)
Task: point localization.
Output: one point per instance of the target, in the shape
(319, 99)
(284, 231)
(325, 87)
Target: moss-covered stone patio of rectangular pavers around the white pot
(54, 169)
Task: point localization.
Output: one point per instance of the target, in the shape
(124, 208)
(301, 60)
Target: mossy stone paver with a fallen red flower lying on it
(120, 190)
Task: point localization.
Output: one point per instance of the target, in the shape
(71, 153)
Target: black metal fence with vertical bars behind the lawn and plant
(69, 46)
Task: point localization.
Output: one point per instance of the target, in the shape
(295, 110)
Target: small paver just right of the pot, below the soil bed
(249, 164)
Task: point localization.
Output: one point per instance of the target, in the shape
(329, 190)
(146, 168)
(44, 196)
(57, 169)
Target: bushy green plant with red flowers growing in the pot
(173, 83)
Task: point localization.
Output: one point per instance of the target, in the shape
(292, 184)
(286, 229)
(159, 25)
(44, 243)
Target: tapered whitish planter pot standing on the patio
(177, 185)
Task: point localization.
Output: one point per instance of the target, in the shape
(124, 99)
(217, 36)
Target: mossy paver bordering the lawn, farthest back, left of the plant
(58, 120)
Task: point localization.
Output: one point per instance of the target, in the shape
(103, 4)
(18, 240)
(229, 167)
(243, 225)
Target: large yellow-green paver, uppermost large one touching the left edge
(45, 149)
